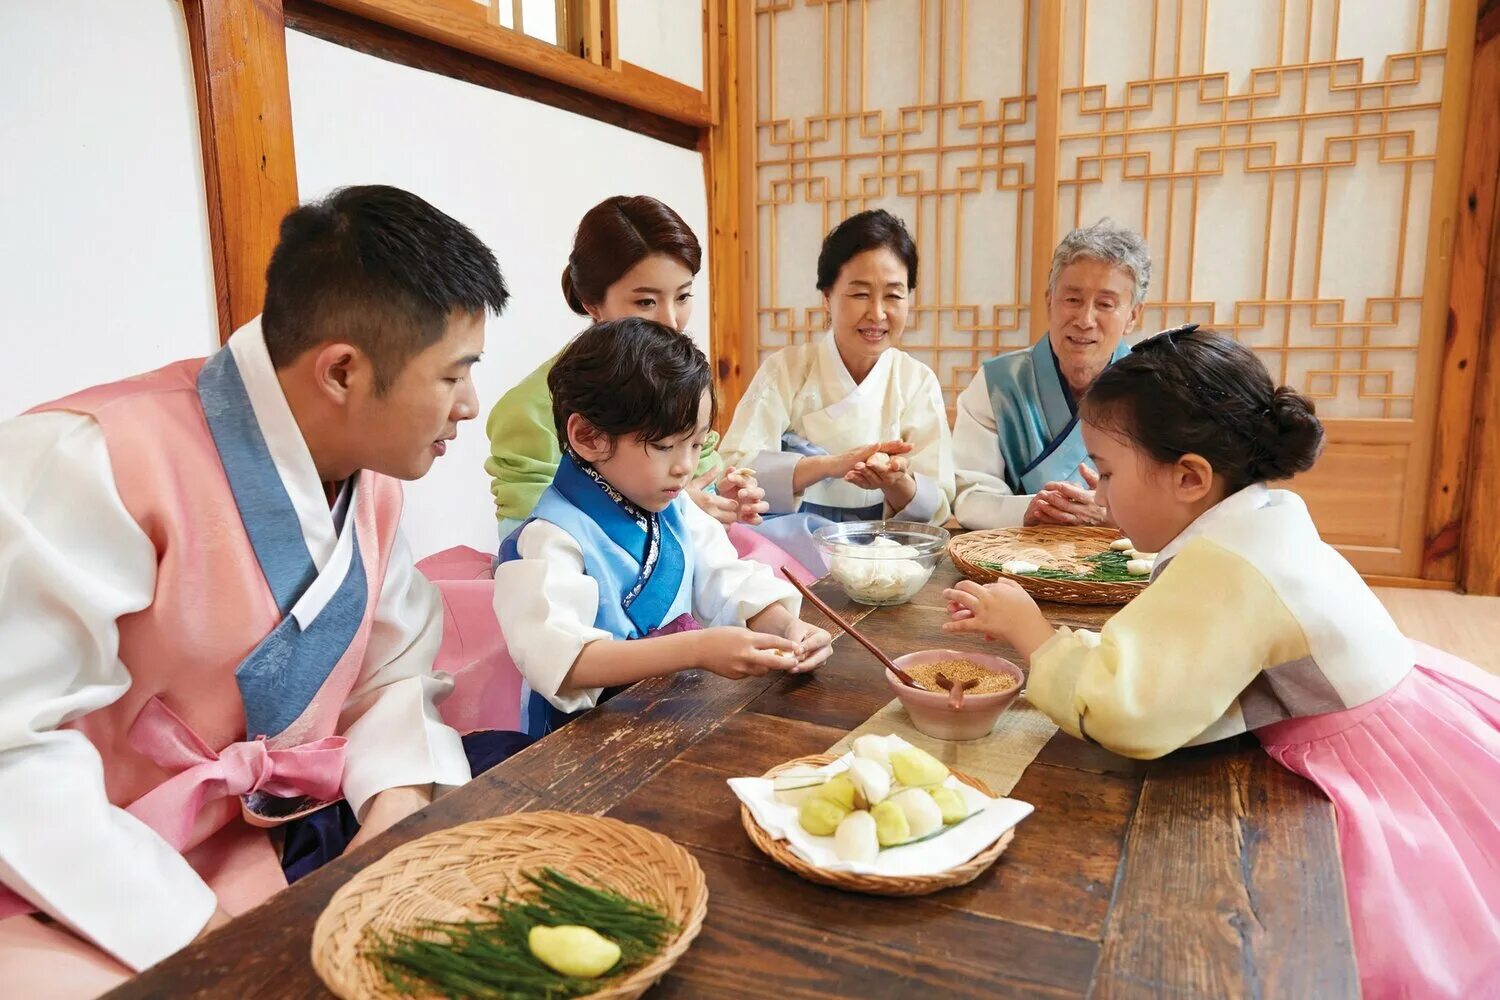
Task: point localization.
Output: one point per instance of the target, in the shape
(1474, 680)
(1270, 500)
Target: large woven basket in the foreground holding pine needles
(445, 876)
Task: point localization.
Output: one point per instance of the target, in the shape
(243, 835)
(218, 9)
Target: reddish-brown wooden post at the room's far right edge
(1480, 542)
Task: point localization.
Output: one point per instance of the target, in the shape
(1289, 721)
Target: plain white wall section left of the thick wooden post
(106, 268)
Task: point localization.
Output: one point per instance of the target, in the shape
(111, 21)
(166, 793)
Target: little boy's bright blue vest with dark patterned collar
(631, 605)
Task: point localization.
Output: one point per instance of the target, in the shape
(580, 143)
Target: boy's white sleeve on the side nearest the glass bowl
(728, 590)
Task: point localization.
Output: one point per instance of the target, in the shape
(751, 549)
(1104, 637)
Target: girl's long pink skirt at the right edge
(1415, 782)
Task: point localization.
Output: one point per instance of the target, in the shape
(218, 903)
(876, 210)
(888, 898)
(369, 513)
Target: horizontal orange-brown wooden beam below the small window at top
(464, 26)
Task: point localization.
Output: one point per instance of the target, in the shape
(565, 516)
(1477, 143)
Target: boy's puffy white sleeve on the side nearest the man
(547, 605)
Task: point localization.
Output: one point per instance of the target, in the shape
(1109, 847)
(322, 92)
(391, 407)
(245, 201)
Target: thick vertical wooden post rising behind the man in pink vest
(239, 58)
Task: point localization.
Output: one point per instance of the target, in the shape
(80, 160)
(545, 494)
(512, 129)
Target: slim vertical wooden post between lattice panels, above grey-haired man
(1045, 184)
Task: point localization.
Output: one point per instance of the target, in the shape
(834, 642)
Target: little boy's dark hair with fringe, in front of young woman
(628, 377)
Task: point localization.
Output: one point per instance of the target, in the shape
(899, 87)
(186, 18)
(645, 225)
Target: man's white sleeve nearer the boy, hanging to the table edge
(391, 719)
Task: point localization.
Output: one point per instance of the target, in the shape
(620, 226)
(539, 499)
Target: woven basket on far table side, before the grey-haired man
(1058, 548)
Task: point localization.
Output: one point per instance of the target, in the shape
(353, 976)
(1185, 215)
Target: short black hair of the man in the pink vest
(376, 268)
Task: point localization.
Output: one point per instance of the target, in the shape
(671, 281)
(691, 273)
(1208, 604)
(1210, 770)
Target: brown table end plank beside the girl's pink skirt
(1231, 885)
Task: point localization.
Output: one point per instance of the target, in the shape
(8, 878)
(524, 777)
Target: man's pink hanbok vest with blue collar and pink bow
(203, 747)
